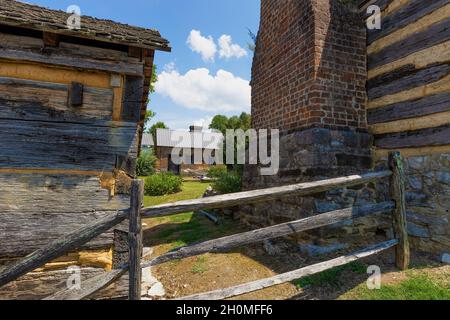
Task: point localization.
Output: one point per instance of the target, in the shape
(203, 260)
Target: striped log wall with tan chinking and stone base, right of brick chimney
(409, 107)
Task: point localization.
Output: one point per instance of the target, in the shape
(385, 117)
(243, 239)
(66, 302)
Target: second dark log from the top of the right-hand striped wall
(432, 36)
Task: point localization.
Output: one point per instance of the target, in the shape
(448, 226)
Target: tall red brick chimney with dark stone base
(308, 80)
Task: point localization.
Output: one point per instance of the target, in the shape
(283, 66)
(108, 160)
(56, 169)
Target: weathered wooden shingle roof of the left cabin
(19, 14)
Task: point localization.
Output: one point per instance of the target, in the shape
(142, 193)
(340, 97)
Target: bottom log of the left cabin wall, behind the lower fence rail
(39, 285)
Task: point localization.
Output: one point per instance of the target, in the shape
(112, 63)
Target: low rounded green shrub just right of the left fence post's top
(161, 184)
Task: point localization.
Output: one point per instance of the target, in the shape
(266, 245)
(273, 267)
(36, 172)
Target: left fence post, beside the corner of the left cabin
(135, 240)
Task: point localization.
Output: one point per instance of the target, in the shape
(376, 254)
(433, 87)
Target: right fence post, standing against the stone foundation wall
(397, 188)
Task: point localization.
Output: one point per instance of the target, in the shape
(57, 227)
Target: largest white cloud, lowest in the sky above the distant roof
(198, 89)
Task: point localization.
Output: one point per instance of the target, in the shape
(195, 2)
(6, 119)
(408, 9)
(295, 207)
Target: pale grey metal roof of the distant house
(184, 139)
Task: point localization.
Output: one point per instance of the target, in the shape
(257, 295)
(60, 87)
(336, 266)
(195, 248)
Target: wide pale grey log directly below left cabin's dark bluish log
(37, 208)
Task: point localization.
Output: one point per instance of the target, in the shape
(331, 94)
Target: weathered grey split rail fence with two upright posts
(135, 213)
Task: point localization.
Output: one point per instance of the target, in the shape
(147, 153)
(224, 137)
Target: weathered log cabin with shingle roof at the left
(72, 108)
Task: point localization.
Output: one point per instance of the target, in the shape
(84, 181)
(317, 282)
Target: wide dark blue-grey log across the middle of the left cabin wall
(72, 146)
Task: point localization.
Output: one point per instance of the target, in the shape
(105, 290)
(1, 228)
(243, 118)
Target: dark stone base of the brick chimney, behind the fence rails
(317, 154)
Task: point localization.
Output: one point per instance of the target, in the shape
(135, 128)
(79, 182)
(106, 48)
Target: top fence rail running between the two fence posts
(263, 195)
